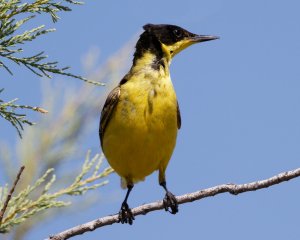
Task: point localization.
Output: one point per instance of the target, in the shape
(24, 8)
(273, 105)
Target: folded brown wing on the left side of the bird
(107, 111)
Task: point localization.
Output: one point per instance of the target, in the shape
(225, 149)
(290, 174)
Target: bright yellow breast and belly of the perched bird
(141, 134)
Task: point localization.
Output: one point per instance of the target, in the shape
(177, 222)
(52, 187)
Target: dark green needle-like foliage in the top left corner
(10, 39)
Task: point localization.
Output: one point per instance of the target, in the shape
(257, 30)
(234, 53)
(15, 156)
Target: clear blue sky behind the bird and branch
(239, 99)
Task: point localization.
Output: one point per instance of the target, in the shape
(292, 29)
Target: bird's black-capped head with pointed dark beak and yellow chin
(166, 40)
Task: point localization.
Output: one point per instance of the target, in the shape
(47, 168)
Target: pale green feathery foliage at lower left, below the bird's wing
(28, 203)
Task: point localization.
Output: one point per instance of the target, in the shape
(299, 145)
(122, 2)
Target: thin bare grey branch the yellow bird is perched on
(234, 189)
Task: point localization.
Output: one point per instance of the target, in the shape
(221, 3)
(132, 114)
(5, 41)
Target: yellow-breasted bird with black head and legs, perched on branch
(141, 116)
